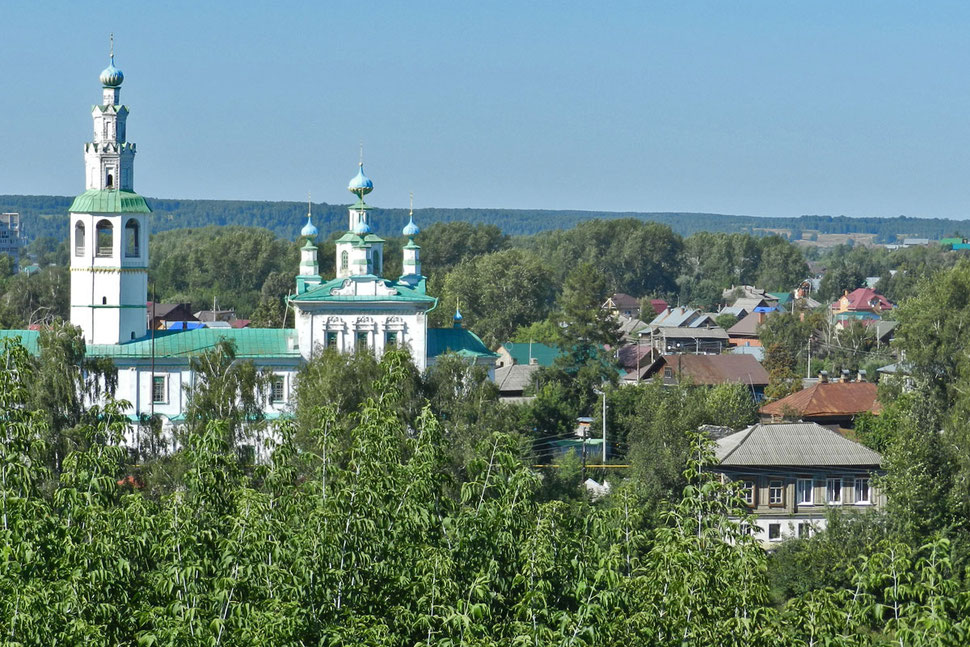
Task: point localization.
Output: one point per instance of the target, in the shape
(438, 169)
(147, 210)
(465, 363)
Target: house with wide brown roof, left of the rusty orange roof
(708, 370)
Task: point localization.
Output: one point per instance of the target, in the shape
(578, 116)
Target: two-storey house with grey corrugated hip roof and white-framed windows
(792, 473)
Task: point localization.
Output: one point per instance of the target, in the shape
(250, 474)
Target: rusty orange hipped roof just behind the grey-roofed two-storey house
(834, 404)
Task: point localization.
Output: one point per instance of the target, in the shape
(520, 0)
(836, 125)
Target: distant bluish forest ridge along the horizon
(47, 216)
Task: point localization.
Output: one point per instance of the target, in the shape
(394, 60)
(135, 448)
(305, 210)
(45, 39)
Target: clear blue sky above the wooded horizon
(760, 107)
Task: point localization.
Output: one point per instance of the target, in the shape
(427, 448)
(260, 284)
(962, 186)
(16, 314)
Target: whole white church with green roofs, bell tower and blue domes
(358, 310)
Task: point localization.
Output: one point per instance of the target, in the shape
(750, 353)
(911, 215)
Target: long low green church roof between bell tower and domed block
(250, 343)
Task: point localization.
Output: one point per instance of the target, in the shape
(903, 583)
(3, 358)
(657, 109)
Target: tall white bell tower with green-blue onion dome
(109, 229)
